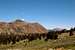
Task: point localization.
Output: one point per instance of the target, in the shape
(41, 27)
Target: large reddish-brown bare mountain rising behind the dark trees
(19, 27)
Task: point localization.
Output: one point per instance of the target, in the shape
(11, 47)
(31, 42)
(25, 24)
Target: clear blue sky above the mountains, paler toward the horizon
(49, 13)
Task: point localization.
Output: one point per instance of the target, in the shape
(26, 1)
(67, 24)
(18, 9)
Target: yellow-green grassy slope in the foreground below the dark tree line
(67, 43)
